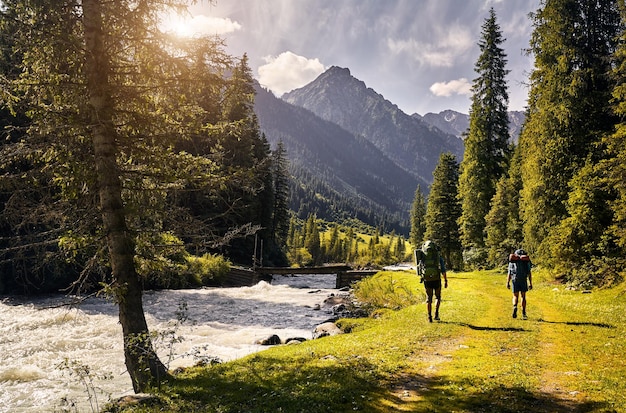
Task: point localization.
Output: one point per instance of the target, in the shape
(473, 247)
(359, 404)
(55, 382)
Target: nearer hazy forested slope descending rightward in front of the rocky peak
(336, 174)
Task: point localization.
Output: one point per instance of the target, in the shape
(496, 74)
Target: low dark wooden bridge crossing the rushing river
(240, 277)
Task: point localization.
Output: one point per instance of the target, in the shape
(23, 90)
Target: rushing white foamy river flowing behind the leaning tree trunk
(53, 357)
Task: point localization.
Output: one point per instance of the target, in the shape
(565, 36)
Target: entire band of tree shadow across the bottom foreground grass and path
(264, 384)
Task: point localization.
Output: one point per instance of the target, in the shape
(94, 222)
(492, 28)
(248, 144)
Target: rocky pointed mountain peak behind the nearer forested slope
(338, 97)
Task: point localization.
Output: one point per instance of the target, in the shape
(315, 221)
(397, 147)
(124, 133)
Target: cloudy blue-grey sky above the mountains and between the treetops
(418, 54)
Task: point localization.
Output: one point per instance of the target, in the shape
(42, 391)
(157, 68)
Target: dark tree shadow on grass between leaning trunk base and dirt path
(266, 384)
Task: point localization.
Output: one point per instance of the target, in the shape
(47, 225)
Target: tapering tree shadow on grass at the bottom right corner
(445, 394)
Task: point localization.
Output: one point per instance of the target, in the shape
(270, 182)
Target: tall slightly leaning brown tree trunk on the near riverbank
(142, 362)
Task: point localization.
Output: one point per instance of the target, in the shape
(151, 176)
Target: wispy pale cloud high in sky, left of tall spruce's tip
(450, 44)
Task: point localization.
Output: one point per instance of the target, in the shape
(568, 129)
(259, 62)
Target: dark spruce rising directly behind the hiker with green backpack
(444, 210)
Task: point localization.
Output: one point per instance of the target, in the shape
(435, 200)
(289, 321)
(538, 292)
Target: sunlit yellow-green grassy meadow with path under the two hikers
(569, 356)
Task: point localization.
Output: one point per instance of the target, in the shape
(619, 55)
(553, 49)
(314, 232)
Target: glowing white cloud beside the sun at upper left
(200, 25)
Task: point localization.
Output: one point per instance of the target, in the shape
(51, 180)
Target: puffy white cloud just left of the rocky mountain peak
(288, 71)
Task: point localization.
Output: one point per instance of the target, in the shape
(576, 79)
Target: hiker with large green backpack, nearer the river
(430, 267)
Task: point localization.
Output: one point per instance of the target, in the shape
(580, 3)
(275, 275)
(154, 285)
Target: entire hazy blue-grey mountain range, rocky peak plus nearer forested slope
(354, 154)
